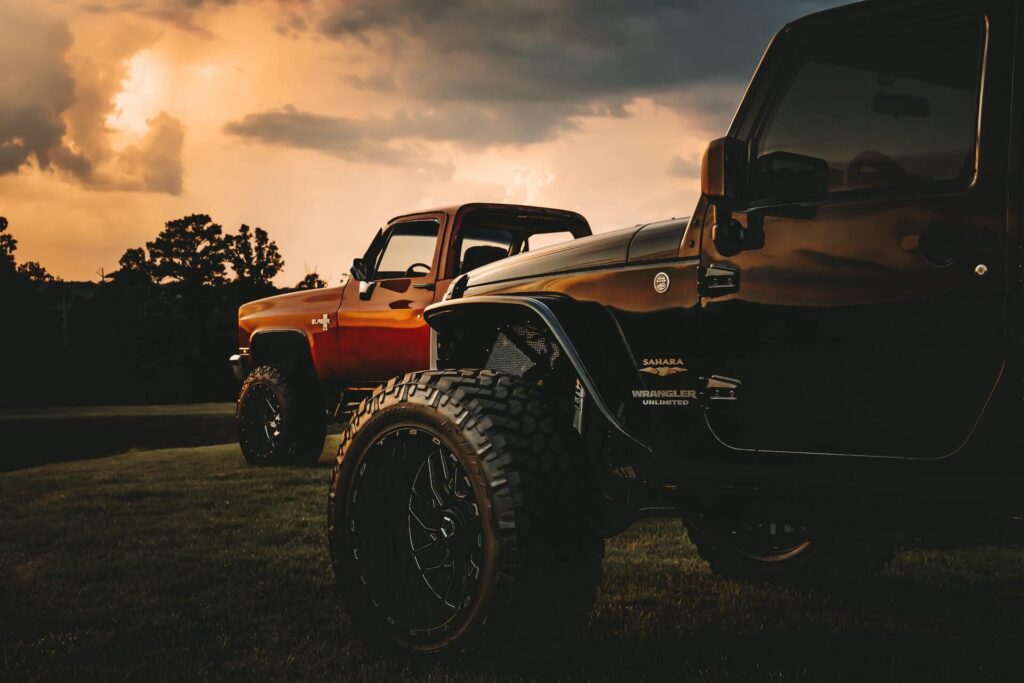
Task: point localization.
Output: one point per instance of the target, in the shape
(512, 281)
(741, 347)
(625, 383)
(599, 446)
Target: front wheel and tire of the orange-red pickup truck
(280, 417)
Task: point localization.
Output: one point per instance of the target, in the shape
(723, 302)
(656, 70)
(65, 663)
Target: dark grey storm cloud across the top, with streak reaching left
(492, 72)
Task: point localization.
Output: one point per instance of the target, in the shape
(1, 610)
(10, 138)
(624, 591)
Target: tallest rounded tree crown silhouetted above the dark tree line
(190, 250)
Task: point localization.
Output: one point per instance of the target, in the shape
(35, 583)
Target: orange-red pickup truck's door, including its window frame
(381, 332)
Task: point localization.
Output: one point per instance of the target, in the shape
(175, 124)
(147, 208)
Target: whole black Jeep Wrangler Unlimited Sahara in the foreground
(823, 365)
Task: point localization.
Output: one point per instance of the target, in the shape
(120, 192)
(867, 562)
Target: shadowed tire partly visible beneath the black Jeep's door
(779, 553)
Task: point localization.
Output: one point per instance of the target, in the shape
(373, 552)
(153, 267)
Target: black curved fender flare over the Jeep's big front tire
(447, 316)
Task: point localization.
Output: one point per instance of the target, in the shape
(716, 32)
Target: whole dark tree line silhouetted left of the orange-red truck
(159, 329)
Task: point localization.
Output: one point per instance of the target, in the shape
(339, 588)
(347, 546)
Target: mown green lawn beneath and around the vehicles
(189, 565)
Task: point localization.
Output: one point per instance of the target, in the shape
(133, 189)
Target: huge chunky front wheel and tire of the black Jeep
(461, 519)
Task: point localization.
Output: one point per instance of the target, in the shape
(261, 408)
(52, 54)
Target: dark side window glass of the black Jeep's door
(898, 109)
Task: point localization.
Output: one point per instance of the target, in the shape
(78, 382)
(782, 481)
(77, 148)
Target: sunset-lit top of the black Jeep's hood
(641, 243)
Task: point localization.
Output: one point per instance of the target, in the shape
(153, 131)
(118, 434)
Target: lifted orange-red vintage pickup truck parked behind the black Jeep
(306, 356)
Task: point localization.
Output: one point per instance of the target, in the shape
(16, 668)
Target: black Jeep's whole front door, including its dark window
(870, 321)
